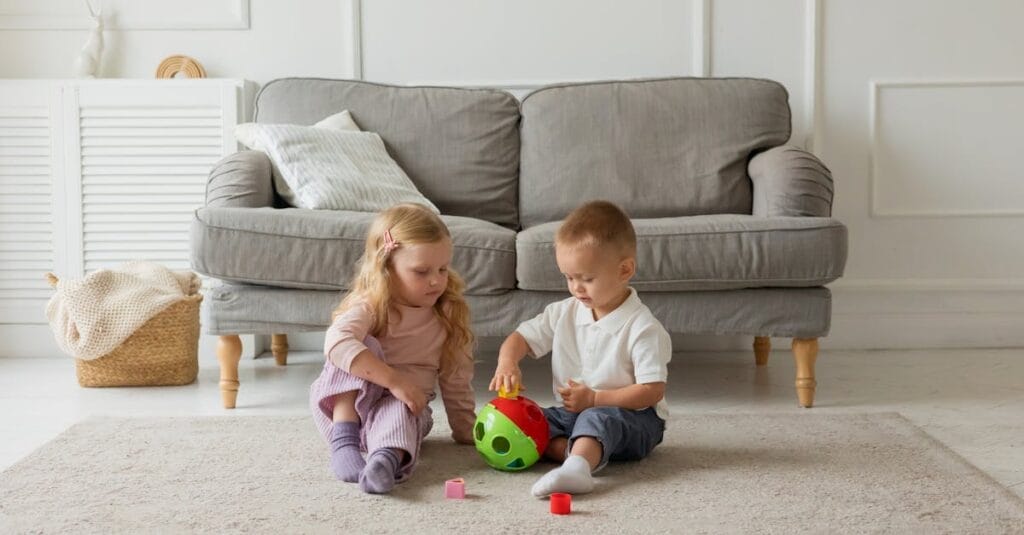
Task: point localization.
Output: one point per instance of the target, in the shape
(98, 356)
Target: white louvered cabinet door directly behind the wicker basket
(145, 153)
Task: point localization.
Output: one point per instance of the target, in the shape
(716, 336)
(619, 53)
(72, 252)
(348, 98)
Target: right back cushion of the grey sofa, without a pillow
(662, 148)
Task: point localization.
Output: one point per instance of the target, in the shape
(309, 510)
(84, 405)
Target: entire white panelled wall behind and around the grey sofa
(914, 106)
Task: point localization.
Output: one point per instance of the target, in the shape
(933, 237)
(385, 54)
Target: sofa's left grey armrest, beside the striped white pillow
(242, 180)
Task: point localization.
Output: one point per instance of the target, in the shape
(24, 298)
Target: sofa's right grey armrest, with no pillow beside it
(789, 181)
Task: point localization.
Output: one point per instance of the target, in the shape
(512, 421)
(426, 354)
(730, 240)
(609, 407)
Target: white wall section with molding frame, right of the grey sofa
(935, 208)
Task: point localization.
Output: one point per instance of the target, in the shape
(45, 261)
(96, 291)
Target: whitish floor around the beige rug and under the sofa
(971, 400)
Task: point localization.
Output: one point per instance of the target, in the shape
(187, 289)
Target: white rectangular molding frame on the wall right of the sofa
(875, 88)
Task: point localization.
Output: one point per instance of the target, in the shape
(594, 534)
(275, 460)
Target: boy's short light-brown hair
(602, 224)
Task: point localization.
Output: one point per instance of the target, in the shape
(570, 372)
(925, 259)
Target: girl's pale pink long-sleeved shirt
(413, 347)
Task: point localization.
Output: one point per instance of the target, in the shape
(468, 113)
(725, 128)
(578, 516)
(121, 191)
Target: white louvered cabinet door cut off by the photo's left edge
(32, 238)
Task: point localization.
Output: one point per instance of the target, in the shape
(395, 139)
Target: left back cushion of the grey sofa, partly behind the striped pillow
(459, 147)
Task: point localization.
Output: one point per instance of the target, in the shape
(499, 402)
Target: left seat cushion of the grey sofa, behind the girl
(320, 250)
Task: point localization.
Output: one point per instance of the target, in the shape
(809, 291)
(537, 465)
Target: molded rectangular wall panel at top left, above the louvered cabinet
(132, 15)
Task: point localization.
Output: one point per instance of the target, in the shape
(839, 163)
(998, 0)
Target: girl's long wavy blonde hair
(409, 224)
